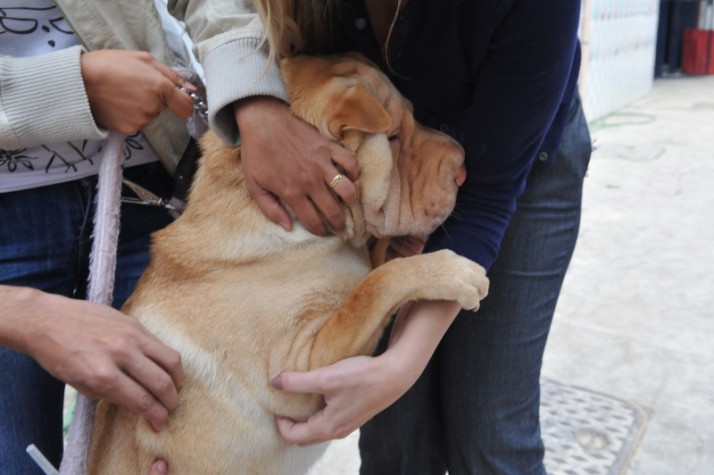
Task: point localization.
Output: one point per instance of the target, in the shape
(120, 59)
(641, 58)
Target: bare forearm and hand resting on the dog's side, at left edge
(94, 348)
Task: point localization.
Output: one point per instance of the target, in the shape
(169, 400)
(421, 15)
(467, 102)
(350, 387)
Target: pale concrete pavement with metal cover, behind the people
(629, 368)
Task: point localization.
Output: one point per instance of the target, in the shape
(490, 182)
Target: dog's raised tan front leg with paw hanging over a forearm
(358, 323)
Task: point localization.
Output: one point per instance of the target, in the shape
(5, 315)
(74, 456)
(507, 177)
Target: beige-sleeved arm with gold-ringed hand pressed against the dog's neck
(285, 161)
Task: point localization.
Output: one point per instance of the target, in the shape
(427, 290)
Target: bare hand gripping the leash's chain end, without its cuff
(128, 89)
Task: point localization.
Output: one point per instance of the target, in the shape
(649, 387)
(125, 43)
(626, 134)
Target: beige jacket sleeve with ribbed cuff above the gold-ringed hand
(230, 44)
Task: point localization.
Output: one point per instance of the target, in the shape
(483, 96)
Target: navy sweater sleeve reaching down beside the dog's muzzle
(518, 89)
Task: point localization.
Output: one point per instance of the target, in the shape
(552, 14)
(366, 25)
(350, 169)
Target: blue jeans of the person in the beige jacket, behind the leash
(45, 239)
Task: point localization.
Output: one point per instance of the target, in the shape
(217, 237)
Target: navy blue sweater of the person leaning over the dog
(498, 76)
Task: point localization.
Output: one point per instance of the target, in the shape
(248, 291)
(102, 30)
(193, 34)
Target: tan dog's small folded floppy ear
(358, 109)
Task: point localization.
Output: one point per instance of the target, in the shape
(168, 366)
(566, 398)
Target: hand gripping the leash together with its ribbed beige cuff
(83, 95)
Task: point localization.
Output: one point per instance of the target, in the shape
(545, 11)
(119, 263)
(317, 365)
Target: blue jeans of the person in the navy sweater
(475, 409)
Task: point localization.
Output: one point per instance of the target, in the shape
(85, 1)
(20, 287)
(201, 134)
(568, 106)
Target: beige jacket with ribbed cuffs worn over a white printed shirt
(42, 98)
